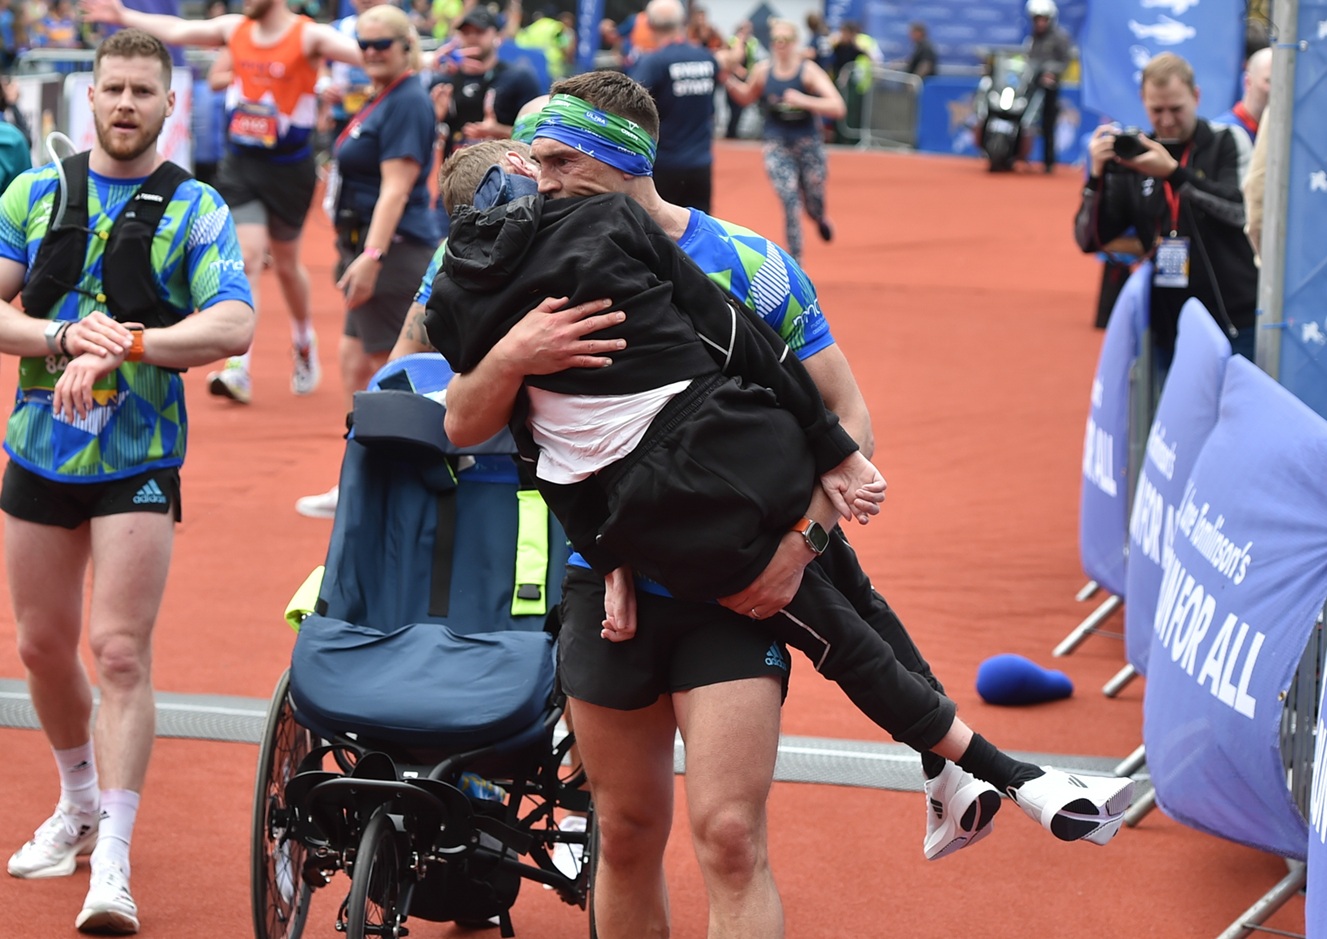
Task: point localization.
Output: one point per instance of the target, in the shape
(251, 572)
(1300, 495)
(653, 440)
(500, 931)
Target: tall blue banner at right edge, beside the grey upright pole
(1304, 343)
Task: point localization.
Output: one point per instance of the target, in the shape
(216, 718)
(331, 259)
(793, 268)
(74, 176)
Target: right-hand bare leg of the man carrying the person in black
(732, 735)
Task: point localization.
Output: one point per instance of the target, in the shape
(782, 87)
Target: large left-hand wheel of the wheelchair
(279, 895)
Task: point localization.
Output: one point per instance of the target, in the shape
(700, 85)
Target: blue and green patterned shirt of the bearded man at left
(137, 421)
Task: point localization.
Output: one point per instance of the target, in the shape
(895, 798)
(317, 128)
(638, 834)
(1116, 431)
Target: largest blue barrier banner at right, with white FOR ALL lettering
(1237, 604)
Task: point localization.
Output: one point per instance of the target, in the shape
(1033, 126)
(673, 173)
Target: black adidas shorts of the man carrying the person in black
(679, 647)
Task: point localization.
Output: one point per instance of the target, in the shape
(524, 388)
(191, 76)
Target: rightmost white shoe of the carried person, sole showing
(1076, 807)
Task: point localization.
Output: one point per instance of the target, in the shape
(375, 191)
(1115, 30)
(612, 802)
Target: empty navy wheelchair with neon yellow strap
(413, 743)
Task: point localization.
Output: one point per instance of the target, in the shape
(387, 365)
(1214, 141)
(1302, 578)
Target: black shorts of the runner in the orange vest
(281, 192)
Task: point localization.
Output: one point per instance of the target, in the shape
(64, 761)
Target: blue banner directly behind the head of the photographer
(1122, 36)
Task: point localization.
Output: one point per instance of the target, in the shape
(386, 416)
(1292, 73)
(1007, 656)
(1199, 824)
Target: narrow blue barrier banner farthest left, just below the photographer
(1103, 505)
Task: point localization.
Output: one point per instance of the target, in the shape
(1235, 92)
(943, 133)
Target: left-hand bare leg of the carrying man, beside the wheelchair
(628, 758)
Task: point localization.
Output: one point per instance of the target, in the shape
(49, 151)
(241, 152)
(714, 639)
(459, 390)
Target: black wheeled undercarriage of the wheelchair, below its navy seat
(397, 826)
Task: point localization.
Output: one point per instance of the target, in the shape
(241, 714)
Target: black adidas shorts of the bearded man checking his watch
(44, 502)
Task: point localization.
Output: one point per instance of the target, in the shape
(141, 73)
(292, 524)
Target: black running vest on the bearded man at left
(129, 286)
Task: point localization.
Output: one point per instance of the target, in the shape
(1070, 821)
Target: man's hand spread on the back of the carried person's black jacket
(553, 338)
